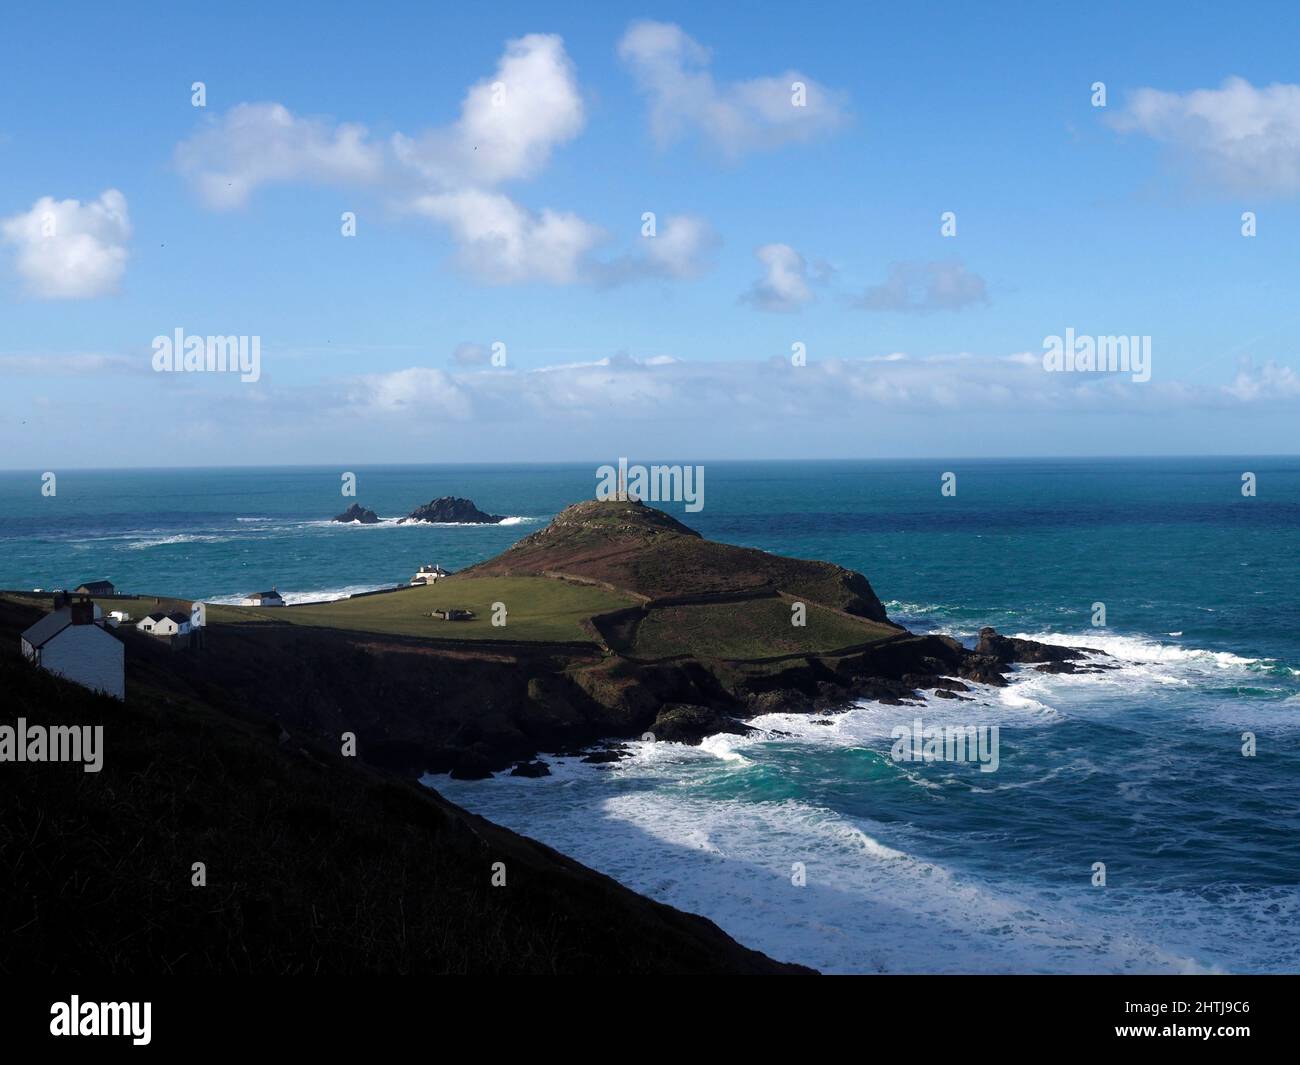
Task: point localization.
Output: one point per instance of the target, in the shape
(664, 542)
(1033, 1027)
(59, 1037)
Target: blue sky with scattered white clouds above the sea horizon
(683, 232)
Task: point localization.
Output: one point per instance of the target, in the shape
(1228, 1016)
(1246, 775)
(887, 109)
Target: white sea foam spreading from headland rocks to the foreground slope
(665, 824)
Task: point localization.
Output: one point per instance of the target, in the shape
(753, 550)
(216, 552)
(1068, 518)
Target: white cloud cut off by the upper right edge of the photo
(1241, 137)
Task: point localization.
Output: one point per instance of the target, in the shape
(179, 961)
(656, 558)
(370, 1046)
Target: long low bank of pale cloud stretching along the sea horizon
(661, 409)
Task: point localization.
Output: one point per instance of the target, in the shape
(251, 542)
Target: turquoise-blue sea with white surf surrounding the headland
(1141, 820)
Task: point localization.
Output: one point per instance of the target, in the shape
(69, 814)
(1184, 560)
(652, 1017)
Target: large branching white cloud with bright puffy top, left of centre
(510, 124)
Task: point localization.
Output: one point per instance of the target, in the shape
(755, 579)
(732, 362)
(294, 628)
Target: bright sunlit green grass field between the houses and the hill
(536, 609)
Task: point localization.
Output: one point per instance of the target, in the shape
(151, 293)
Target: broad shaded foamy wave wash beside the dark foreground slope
(866, 906)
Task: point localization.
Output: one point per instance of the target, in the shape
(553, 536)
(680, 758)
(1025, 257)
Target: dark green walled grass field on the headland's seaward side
(752, 629)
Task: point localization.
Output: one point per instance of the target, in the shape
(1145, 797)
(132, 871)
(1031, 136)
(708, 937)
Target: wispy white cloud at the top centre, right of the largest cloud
(673, 70)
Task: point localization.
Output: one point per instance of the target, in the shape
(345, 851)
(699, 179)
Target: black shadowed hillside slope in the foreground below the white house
(314, 864)
